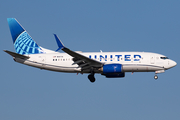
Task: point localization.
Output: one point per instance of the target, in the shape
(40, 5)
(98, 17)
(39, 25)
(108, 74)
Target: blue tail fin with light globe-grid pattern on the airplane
(22, 41)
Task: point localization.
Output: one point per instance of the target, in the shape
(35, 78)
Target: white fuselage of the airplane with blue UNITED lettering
(131, 61)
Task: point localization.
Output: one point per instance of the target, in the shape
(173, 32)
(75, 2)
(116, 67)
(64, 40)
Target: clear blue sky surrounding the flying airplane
(28, 93)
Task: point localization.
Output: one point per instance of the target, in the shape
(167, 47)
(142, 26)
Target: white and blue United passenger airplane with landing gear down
(109, 64)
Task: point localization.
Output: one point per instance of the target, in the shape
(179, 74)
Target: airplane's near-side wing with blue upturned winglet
(84, 62)
